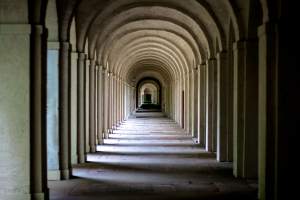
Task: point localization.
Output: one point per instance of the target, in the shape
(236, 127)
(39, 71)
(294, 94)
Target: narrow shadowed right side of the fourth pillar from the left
(92, 107)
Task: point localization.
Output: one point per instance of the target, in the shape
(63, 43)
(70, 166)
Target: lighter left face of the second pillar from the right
(238, 107)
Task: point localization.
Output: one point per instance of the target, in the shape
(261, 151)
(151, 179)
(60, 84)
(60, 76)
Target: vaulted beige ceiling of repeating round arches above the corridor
(164, 39)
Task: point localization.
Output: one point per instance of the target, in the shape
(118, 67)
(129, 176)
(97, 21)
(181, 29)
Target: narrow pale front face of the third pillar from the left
(73, 107)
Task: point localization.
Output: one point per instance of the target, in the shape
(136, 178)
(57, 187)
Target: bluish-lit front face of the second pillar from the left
(52, 110)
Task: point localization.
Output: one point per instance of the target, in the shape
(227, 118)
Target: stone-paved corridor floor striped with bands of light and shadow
(150, 157)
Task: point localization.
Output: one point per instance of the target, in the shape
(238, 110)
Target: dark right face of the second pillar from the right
(250, 161)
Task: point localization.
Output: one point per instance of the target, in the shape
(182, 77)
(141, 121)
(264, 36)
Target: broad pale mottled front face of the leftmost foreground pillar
(14, 114)
